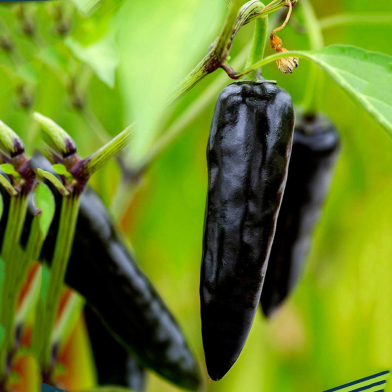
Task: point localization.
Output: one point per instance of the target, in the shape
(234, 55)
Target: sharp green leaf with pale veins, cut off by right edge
(366, 76)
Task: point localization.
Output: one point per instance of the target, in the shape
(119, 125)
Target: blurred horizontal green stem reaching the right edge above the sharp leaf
(341, 20)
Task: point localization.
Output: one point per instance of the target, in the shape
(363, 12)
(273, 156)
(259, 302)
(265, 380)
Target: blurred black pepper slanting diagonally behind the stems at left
(104, 271)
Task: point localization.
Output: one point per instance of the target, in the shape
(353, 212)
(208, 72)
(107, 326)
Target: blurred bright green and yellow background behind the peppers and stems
(94, 68)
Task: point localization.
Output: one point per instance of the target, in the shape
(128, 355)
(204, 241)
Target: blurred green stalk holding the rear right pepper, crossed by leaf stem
(314, 89)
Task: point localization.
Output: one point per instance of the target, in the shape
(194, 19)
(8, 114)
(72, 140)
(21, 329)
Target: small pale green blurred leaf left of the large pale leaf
(101, 56)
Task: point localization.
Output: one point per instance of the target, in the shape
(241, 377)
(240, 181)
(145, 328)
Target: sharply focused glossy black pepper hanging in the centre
(248, 154)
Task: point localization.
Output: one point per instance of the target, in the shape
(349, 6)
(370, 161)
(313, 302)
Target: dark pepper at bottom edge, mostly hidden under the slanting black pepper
(114, 365)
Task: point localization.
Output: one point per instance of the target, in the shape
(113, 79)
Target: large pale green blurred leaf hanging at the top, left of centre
(158, 54)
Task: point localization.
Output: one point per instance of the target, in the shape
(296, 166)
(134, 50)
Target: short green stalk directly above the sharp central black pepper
(258, 46)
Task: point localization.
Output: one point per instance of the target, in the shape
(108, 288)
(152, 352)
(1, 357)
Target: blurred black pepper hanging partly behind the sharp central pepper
(315, 149)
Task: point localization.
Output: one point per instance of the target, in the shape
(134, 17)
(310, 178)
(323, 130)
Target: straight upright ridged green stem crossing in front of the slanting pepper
(64, 240)
